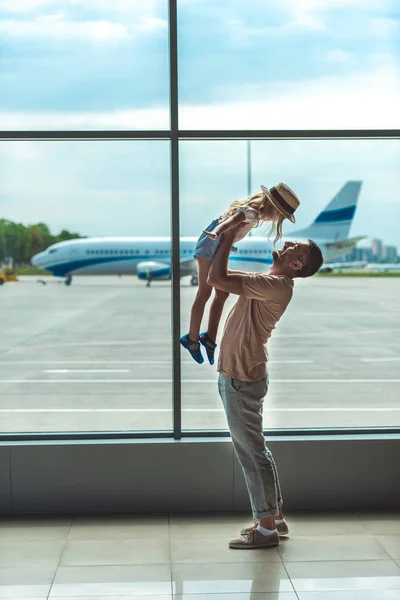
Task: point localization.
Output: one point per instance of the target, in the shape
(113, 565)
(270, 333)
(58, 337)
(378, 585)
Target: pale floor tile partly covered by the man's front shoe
(217, 551)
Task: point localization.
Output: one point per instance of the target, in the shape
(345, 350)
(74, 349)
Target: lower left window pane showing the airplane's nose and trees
(93, 355)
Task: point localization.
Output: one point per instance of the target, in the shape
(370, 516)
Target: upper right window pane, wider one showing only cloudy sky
(286, 64)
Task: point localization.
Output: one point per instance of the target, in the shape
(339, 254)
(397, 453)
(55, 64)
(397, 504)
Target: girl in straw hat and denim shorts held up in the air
(273, 205)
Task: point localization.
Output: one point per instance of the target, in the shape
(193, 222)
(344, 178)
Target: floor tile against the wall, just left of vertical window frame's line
(119, 527)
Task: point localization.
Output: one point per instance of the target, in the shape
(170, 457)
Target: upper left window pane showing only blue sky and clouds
(87, 64)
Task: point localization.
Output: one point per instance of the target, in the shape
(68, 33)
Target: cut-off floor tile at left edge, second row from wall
(30, 554)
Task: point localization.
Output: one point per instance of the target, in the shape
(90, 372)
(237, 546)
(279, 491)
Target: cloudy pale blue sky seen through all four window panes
(93, 64)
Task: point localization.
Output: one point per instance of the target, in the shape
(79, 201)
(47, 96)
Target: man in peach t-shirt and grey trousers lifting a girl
(243, 379)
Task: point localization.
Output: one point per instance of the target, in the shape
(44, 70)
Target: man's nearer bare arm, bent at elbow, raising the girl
(219, 276)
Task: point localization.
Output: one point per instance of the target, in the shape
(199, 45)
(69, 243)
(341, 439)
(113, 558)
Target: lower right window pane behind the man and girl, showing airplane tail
(336, 349)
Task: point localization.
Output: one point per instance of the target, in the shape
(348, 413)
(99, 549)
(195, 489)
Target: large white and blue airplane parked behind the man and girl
(142, 255)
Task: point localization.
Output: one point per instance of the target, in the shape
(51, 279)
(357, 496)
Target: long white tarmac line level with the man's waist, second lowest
(193, 381)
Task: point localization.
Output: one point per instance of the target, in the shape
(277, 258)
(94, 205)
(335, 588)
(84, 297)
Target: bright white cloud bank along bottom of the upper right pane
(352, 101)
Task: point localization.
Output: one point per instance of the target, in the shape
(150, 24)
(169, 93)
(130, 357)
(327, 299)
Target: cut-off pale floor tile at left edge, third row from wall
(25, 582)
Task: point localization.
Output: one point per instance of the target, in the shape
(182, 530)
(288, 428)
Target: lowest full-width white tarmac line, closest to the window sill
(196, 410)
